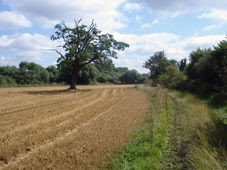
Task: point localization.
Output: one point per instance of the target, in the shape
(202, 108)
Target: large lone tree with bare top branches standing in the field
(84, 45)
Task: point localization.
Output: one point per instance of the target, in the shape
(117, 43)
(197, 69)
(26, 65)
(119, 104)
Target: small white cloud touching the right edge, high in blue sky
(214, 14)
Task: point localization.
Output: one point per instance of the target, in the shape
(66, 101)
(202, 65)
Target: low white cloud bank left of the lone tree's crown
(26, 47)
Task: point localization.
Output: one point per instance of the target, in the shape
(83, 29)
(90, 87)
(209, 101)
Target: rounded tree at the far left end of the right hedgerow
(157, 64)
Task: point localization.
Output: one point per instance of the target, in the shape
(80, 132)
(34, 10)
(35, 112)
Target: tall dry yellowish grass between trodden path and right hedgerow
(203, 132)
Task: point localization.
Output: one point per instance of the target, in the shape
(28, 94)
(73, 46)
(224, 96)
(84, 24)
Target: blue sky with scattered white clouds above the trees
(176, 27)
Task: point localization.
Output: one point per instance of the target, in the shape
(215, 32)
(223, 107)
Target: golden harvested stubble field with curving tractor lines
(53, 128)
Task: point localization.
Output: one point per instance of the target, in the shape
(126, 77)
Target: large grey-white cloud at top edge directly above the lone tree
(49, 12)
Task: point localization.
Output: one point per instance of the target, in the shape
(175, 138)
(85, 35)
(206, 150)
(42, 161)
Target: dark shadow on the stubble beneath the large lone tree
(54, 92)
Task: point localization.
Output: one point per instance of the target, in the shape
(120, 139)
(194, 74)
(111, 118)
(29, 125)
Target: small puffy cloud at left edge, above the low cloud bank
(13, 20)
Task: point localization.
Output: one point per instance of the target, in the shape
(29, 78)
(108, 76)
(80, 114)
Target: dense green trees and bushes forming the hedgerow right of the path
(205, 73)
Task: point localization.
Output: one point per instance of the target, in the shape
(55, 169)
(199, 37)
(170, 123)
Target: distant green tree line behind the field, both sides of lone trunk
(30, 73)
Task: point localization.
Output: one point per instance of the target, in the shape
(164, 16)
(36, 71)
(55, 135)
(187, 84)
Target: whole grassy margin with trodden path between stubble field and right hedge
(178, 133)
